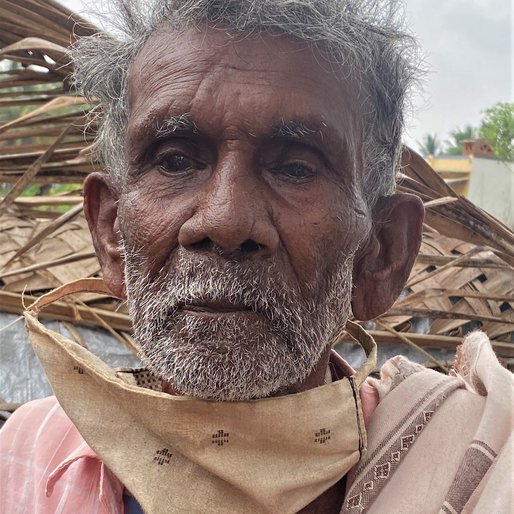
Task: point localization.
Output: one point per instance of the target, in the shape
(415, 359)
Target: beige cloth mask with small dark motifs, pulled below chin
(179, 454)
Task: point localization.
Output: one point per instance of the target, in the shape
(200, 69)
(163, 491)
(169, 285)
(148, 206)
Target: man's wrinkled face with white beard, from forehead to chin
(242, 210)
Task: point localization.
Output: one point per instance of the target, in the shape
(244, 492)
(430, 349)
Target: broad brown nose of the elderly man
(231, 216)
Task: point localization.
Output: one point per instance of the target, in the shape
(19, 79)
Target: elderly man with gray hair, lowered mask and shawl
(248, 210)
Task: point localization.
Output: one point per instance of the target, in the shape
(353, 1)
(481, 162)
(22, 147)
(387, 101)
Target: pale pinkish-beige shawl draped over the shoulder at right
(438, 442)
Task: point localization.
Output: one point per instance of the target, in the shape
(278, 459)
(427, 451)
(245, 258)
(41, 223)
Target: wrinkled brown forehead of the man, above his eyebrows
(260, 78)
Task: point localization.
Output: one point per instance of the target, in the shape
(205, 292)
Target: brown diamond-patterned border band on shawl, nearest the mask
(393, 448)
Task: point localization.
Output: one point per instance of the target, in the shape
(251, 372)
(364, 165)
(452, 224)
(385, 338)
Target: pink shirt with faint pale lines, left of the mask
(47, 468)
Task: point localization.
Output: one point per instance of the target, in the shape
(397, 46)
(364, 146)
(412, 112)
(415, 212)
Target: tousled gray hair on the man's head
(368, 36)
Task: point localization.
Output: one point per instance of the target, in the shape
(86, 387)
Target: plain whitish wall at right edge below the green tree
(491, 187)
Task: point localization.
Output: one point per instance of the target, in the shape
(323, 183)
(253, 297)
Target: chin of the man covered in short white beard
(227, 358)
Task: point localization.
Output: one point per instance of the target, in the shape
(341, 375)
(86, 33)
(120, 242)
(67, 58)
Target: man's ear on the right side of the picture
(383, 266)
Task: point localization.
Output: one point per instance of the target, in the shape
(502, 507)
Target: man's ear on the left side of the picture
(100, 208)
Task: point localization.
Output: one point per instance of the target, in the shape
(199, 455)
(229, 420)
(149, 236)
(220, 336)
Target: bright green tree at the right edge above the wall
(497, 128)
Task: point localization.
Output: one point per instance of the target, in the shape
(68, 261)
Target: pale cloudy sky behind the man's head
(469, 54)
